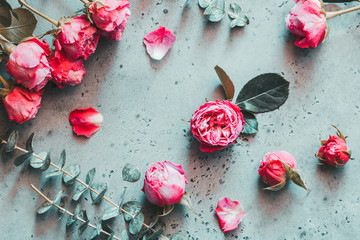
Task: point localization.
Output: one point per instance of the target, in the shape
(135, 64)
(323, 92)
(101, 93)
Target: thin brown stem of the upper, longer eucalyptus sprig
(82, 183)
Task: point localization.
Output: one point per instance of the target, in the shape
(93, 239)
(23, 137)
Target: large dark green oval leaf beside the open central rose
(263, 93)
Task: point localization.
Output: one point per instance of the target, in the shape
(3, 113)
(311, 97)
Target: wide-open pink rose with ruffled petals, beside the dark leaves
(216, 125)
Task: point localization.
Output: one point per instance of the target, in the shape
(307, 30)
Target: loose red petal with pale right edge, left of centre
(85, 121)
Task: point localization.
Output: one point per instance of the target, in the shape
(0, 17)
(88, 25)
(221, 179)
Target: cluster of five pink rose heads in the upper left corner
(32, 63)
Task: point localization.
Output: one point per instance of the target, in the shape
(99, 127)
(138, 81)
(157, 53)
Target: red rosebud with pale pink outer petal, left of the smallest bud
(271, 169)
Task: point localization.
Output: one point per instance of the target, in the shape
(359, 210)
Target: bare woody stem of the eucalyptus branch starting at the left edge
(16, 147)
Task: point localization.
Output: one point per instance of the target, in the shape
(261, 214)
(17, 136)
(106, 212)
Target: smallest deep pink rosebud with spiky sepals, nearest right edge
(334, 151)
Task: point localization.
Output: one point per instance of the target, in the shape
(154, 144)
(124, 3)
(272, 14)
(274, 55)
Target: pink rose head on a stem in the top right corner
(307, 20)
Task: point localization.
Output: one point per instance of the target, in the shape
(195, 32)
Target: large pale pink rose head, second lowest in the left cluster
(28, 64)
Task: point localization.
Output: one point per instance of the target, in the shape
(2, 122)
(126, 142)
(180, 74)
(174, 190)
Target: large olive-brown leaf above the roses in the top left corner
(20, 28)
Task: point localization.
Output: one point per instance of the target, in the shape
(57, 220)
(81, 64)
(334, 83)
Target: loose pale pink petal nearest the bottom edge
(229, 213)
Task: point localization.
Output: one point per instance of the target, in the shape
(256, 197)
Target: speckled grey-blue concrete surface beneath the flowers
(143, 102)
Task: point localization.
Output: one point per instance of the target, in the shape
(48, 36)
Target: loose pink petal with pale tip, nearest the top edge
(159, 42)
